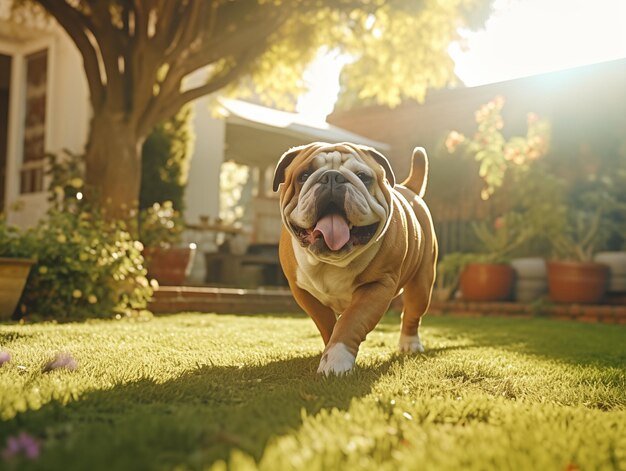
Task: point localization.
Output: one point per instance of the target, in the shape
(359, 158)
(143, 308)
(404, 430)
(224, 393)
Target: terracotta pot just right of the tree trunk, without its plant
(169, 266)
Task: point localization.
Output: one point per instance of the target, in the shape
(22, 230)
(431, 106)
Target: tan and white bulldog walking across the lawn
(351, 241)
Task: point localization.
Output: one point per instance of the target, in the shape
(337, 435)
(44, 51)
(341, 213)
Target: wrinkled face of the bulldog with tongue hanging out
(336, 198)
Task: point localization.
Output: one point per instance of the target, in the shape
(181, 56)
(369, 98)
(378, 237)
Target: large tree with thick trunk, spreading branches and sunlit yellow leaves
(139, 55)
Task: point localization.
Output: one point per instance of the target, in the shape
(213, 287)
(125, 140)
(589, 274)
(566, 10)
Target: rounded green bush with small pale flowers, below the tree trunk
(85, 268)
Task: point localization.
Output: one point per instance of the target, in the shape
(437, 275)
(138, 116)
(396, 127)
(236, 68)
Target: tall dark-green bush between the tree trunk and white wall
(165, 161)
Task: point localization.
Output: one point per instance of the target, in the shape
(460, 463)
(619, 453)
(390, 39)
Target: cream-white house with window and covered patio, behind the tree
(44, 108)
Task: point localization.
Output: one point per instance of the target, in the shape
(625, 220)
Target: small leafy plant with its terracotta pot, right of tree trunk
(160, 231)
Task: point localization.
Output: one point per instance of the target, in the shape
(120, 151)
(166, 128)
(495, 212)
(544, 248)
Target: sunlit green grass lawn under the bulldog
(199, 391)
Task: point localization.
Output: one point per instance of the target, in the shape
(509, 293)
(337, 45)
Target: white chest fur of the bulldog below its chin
(332, 285)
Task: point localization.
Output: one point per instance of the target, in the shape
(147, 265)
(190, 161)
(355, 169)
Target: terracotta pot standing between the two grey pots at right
(577, 282)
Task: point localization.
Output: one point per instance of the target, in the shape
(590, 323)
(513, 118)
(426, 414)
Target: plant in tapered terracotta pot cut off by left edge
(15, 263)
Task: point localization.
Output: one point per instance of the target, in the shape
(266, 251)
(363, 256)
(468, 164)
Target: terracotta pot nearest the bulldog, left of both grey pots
(487, 282)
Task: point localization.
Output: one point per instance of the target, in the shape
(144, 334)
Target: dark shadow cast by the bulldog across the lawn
(195, 419)
